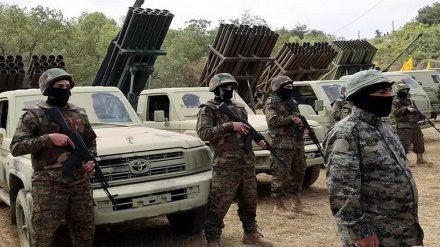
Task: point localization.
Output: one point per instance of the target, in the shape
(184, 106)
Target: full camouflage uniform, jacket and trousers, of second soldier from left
(233, 171)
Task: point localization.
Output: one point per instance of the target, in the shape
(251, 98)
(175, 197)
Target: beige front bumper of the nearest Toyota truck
(149, 199)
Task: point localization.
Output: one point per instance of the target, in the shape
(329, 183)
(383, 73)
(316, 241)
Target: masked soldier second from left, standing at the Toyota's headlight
(233, 171)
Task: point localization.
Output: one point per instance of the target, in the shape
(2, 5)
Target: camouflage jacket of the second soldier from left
(217, 128)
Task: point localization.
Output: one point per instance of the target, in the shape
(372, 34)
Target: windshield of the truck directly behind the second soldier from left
(187, 103)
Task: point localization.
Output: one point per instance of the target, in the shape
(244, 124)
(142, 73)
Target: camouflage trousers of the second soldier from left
(231, 179)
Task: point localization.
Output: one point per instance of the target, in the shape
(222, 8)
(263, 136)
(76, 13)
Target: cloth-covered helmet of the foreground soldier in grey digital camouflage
(362, 80)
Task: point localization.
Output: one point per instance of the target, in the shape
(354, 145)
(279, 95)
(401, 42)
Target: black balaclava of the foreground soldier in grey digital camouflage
(377, 105)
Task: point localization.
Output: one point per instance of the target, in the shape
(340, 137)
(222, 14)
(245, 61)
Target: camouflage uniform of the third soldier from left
(283, 138)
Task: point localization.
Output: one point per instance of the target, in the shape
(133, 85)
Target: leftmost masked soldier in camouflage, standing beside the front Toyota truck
(55, 196)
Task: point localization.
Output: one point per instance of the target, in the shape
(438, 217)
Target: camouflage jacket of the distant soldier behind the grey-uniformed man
(405, 118)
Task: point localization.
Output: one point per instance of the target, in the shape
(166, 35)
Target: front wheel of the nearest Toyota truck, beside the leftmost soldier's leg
(23, 214)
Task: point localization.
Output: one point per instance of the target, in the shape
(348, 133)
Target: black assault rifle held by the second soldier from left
(252, 135)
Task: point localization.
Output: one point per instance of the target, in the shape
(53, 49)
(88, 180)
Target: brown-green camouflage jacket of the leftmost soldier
(32, 135)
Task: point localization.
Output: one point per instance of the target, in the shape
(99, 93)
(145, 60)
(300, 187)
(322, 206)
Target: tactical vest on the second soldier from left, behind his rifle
(232, 140)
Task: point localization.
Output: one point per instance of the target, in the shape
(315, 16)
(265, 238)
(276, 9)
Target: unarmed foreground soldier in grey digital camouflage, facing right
(373, 196)
